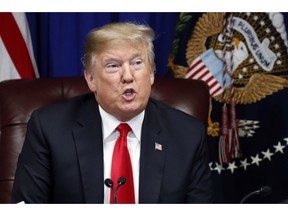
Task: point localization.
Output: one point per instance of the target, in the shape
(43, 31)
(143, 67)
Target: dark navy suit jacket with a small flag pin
(62, 156)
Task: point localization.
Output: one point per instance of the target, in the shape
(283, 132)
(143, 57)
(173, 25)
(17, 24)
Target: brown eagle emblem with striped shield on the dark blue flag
(258, 60)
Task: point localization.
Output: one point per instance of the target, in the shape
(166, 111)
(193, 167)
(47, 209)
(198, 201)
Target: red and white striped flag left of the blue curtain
(9, 43)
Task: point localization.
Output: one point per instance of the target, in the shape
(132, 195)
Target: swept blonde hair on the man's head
(99, 38)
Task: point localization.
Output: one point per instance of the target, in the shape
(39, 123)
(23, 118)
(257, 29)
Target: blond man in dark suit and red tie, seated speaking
(69, 147)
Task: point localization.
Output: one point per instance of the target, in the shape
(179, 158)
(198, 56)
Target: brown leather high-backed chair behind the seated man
(18, 98)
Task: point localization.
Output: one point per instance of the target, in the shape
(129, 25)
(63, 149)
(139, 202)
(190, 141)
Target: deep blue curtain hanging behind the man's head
(58, 38)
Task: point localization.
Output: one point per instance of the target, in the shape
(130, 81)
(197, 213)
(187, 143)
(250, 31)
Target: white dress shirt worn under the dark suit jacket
(110, 135)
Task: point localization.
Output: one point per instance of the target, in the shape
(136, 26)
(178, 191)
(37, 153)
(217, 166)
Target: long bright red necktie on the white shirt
(121, 166)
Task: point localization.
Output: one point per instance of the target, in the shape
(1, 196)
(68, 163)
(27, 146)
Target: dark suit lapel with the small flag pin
(152, 156)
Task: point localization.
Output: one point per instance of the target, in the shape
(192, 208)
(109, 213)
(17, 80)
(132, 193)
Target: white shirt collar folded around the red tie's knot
(109, 123)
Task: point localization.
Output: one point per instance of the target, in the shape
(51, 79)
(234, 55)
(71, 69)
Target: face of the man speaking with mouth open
(121, 79)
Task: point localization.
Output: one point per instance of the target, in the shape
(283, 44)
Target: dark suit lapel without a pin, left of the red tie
(89, 145)
